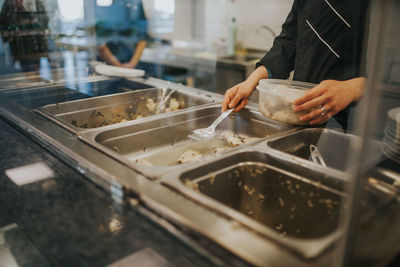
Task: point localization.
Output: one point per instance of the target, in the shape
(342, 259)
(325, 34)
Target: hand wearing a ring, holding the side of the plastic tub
(331, 97)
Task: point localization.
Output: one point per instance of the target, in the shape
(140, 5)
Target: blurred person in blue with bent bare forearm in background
(123, 54)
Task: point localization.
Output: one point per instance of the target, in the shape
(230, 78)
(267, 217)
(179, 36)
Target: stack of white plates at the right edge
(391, 142)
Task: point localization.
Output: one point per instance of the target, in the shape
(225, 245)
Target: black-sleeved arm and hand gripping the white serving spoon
(279, 61)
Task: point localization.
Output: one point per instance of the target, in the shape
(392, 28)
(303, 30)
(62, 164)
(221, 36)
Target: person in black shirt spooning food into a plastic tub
(321, 41)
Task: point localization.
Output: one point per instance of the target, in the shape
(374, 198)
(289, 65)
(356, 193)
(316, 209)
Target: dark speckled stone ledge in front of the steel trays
(69, 221)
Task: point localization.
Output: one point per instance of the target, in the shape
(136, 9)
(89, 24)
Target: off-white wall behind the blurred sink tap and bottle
(215, 16)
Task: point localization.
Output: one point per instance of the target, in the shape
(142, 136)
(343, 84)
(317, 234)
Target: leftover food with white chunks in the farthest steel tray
(123, 113)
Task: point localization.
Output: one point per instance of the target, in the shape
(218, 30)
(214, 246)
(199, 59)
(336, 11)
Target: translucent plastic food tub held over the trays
(277, 96)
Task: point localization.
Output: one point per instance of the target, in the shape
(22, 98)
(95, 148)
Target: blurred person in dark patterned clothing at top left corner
(24, 25)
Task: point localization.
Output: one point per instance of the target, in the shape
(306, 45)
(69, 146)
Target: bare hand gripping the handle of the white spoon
(243, 90)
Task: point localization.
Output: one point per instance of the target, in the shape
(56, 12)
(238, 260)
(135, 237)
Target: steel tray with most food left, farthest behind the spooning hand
(81, 115)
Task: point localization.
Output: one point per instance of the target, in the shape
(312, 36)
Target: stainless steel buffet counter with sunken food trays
(252, 189)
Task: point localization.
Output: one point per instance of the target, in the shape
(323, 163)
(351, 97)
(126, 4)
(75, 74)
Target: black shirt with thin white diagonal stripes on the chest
(320, 40)
